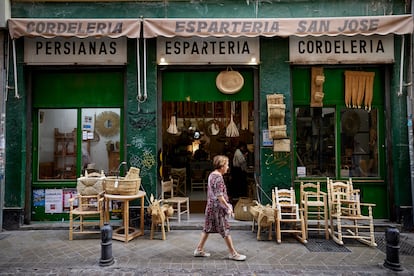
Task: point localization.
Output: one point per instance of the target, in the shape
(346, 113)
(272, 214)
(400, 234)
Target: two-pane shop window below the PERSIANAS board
(58, 148)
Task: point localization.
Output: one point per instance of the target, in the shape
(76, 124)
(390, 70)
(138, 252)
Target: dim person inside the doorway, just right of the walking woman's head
(239, 171)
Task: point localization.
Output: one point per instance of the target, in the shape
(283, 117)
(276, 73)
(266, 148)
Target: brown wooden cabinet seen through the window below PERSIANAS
(65, 154)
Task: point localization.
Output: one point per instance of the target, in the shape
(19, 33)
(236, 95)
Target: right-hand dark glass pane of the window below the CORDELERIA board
(359, 151)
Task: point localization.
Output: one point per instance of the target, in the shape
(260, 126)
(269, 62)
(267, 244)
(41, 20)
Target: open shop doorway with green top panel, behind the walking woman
(198, 123)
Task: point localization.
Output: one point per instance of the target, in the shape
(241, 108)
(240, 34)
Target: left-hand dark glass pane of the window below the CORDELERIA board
(315, 141)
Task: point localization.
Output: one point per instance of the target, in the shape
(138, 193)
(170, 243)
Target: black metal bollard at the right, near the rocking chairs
(392, 239)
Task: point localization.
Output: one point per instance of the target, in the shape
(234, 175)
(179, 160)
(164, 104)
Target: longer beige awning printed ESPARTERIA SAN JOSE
(282, 27)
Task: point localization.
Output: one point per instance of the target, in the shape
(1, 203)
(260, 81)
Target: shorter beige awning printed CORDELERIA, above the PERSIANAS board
(49, 28)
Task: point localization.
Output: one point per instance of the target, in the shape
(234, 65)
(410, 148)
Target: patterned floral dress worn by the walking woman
(216, 214)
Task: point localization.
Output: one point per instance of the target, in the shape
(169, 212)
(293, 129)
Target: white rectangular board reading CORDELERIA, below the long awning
(341, 49)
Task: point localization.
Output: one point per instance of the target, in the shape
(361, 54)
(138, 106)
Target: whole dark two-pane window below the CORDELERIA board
(316, 142)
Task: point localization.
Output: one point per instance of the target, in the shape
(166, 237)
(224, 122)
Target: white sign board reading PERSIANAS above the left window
(59, 50)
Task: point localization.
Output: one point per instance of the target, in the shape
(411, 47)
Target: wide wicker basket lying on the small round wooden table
(124, 186)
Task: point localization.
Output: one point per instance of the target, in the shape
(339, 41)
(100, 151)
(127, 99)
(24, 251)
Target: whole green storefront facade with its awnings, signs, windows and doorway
(117, 87)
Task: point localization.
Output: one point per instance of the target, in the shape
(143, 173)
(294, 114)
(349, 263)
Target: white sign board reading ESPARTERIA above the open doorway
(197, 50)
